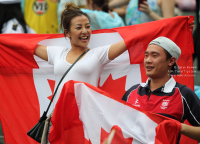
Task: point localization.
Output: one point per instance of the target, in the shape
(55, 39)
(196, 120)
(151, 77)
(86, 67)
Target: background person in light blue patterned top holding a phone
(147, 11)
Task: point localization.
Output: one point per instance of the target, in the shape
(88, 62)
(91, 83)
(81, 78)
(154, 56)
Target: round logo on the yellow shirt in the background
(40, 7)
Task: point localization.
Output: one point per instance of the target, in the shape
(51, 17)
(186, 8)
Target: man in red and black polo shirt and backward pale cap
(161, 94)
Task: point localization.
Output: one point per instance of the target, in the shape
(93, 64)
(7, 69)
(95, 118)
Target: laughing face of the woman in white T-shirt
(80, 31)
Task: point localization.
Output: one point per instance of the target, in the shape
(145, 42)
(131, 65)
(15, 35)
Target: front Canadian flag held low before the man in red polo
(85, 114)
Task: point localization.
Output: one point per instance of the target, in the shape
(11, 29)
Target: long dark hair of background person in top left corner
(10, 11)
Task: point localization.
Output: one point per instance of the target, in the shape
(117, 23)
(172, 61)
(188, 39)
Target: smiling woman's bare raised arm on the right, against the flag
(116, 49)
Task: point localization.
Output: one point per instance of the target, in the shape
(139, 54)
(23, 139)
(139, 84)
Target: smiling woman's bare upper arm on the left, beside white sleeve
(41, 52)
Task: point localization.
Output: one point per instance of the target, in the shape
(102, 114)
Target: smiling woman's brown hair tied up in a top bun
(70, 11)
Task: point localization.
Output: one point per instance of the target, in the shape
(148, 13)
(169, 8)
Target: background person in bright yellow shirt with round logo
(41, 15)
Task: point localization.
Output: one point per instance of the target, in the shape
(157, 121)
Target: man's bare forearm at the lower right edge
(191, 131)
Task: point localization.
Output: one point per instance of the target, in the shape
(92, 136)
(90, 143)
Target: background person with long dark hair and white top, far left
(12, 18)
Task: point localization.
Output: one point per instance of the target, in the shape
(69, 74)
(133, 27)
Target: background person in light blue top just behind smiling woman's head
(100, 15)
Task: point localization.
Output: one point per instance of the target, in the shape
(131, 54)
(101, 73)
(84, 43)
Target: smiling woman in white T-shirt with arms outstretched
(76, 26)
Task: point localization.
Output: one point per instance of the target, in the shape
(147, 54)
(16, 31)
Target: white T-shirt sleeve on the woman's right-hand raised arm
(102, 54)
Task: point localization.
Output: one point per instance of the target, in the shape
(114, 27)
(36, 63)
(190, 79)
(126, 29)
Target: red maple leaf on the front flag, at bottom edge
(118, 137)
